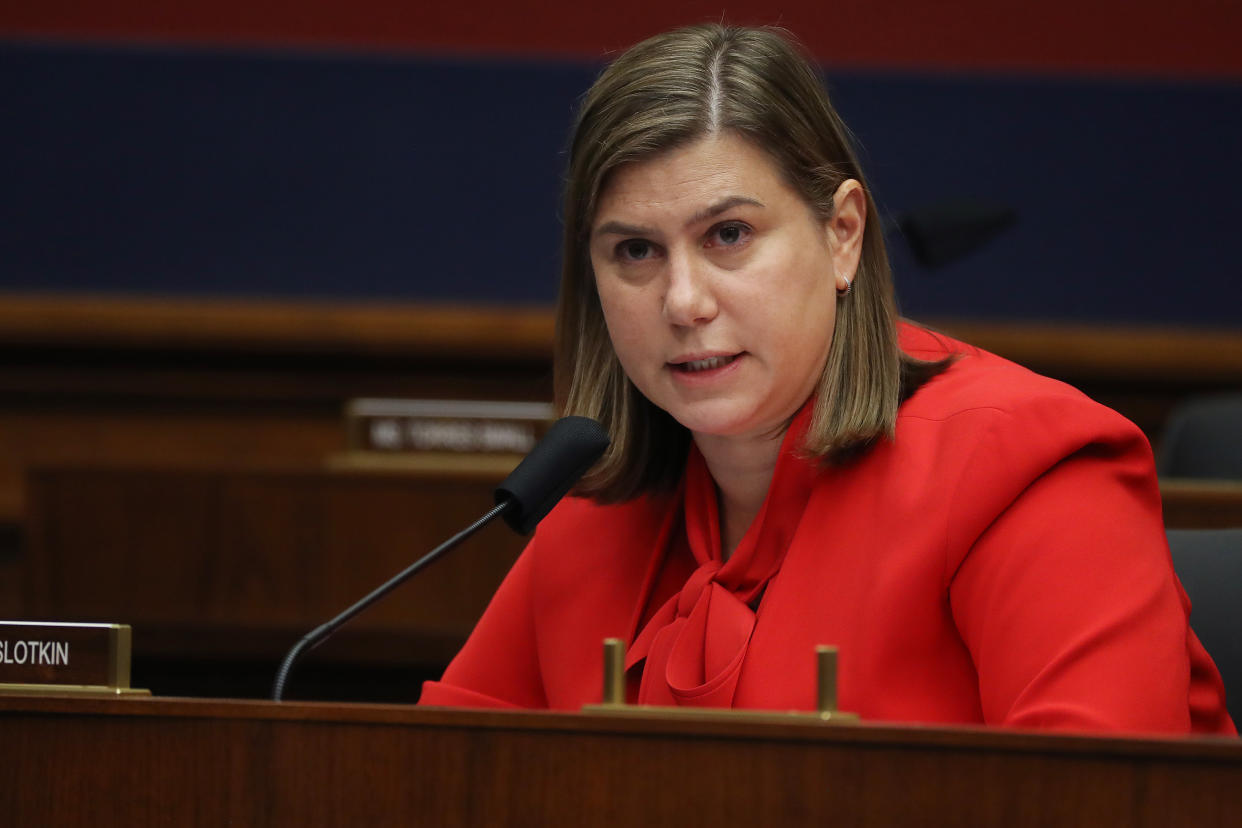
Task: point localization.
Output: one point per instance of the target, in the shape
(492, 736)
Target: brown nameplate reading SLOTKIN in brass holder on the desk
(50, 659)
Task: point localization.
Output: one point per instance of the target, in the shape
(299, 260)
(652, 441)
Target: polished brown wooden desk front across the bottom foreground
(165, 763)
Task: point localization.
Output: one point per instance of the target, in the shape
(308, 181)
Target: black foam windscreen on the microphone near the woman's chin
(569, 449)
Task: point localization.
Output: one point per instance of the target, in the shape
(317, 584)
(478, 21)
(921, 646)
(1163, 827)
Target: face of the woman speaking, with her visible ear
(718, 285)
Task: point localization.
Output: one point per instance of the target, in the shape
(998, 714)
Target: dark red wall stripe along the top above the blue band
(1193, 39)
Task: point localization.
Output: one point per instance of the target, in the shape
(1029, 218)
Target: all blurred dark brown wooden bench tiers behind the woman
(177, 455)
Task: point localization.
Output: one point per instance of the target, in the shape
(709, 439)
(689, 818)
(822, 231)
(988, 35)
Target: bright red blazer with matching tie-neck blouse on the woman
(1003, 560)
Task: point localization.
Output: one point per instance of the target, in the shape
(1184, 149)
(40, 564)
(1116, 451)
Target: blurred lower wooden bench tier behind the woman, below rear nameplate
(213, 565)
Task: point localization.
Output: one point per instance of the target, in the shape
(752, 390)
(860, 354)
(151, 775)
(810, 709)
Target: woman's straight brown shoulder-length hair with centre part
(668, 92)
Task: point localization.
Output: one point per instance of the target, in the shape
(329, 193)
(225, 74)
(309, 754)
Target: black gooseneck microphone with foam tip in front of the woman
(543, 477)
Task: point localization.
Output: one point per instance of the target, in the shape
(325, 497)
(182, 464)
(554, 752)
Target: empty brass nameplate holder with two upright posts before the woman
(827, 696)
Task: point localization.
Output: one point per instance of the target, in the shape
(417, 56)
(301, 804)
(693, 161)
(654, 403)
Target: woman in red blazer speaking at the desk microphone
(791, 467)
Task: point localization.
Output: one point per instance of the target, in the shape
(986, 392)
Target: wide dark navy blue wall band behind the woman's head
(286, 174)
